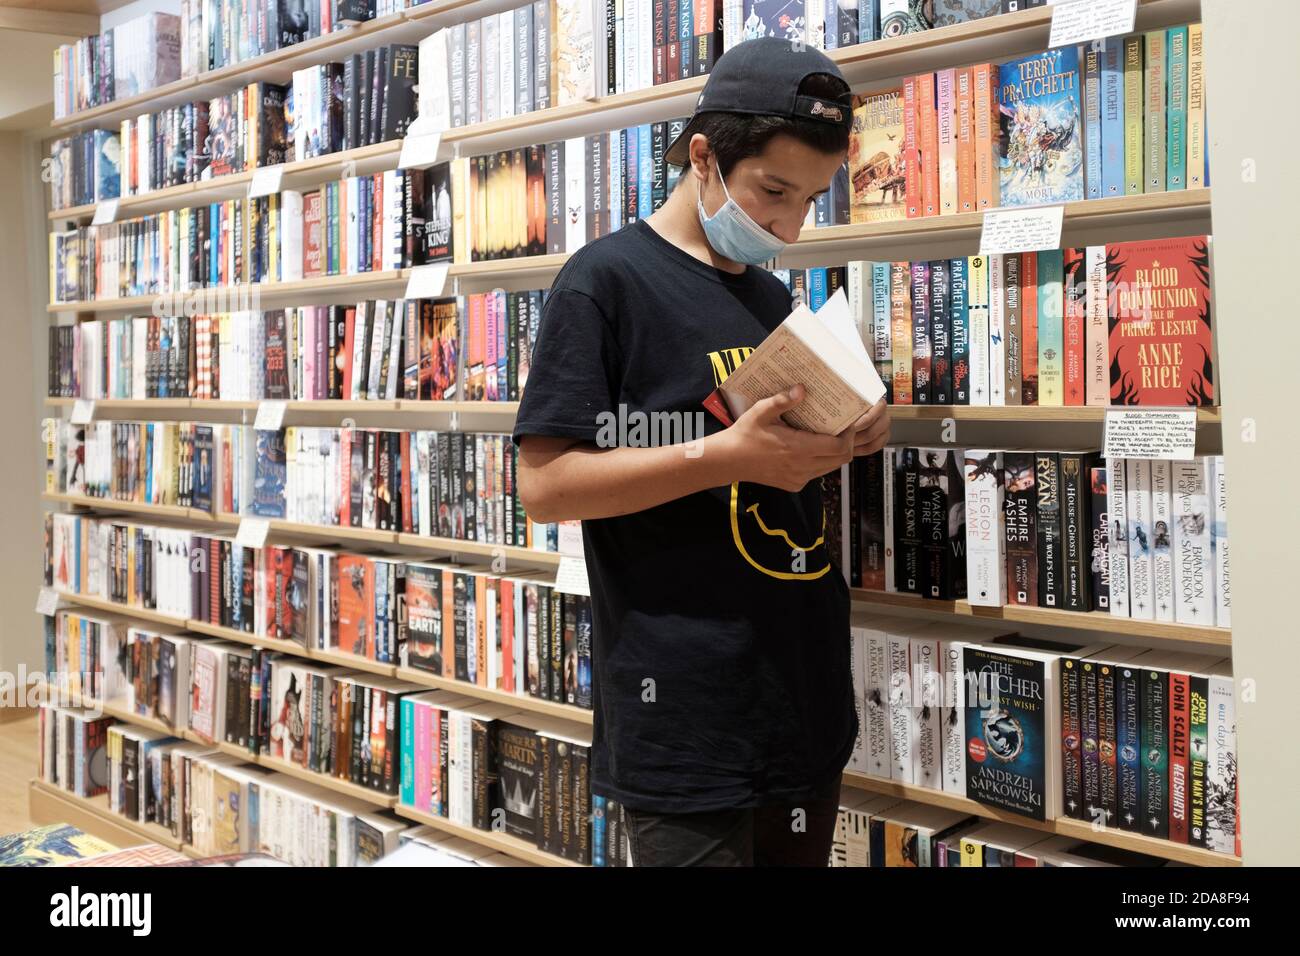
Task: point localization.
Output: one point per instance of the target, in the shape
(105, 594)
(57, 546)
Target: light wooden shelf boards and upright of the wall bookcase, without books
(868, 66)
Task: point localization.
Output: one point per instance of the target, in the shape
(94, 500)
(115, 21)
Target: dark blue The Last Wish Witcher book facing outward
(1007, 729)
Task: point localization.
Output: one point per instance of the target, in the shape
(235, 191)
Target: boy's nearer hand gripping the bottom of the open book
(769, 452)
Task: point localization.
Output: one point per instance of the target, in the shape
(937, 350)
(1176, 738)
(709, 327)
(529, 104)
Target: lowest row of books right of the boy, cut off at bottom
(877, 830)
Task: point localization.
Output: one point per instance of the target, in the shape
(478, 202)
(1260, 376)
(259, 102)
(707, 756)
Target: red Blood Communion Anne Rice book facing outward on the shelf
(1162, 344)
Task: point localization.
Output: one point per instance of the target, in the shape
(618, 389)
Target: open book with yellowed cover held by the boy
(821, 351)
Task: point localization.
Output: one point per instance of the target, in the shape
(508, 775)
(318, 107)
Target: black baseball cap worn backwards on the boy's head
(762, 77)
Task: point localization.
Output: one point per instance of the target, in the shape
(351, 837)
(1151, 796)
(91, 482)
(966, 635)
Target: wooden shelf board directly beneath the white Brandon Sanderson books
(1216, 639)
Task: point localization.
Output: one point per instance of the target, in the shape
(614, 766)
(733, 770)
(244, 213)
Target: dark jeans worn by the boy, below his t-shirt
(774, 836)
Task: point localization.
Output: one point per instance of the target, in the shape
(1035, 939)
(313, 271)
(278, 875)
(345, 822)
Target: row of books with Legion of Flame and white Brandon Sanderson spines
(1141, 539)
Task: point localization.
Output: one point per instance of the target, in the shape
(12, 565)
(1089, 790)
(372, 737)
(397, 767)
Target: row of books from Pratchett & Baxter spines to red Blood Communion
(1124, 325)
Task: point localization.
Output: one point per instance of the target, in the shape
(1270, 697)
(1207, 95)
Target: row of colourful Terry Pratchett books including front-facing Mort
(1121, 116)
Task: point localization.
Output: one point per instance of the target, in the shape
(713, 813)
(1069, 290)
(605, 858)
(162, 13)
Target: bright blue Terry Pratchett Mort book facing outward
(1039, 140)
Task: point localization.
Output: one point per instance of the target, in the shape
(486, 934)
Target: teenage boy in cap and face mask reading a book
(725, 708)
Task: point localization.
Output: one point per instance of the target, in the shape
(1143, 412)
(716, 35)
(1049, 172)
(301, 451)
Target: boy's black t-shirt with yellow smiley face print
(721, 644)
